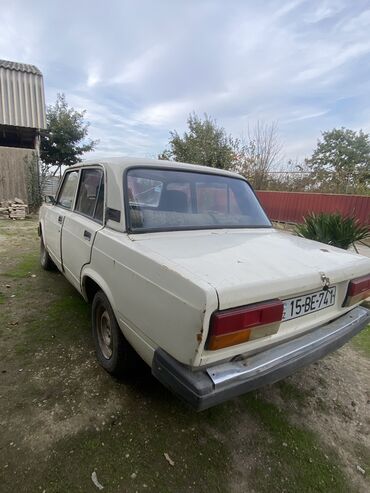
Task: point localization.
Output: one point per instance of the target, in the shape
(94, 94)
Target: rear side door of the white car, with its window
(81, 226)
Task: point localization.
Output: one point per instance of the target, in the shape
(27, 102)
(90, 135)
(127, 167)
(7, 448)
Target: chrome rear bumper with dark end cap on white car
(215, 384)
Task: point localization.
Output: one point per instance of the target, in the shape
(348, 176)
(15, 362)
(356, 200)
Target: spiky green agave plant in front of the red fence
(332, 229)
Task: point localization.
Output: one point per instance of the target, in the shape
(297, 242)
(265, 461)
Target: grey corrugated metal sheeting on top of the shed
(22, 100)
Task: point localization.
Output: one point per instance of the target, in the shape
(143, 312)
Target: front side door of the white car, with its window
(55, 215)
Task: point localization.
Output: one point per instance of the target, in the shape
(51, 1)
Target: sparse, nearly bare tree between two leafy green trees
(259, 153)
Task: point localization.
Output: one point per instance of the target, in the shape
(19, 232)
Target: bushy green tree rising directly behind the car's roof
(204, 143)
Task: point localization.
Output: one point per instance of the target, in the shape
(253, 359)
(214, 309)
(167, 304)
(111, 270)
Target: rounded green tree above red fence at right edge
(341, 162)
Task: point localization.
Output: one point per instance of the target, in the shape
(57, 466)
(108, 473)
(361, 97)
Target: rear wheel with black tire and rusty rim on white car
(113, 352)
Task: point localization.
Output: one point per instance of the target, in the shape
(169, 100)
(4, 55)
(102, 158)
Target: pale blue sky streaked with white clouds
(140, 67)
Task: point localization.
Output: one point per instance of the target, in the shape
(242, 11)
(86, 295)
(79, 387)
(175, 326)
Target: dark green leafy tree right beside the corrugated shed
(65, 139)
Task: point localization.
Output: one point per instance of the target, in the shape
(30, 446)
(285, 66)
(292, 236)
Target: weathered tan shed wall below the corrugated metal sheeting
(13, 173)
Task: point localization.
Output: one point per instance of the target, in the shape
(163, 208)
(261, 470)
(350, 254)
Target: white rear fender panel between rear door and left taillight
(164, 306)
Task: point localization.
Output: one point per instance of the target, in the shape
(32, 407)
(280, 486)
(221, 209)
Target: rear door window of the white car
(90, 197)
